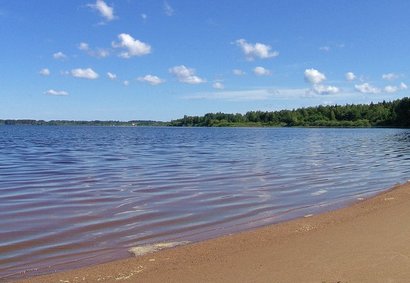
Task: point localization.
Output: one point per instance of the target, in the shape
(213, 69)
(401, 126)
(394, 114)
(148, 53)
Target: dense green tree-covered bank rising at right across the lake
(383, 114)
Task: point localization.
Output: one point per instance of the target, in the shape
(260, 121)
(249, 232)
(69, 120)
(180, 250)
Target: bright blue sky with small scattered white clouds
(160, 60)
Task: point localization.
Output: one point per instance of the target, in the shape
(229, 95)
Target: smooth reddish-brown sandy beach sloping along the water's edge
(368, 241)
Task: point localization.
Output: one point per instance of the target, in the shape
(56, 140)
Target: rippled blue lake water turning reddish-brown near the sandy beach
(72, 196)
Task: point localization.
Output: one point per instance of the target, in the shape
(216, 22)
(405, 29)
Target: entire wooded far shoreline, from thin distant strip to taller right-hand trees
(384, 114)
